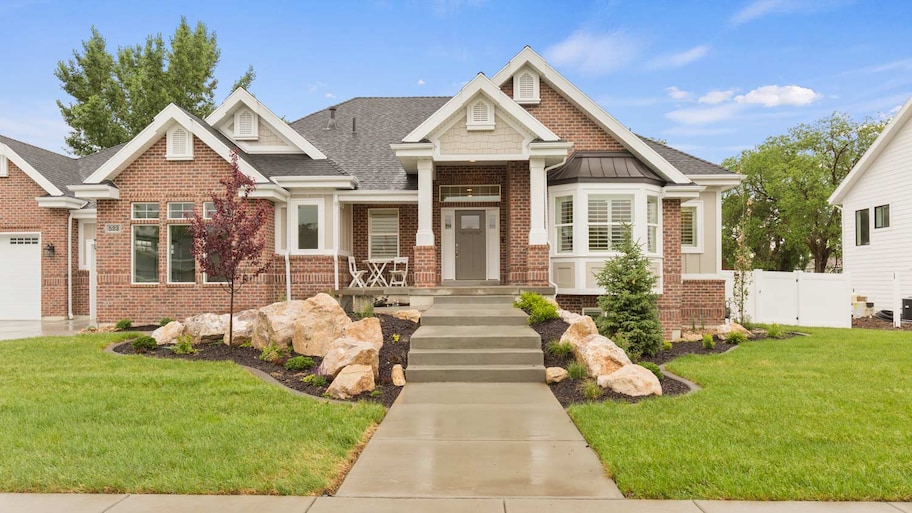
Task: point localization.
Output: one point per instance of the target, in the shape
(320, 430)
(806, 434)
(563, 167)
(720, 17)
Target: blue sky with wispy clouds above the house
(712, 78)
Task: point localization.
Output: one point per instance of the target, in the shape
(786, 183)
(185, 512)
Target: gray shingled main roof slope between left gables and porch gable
(365, 153)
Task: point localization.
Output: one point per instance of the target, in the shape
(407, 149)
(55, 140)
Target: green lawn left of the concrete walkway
(76, 419)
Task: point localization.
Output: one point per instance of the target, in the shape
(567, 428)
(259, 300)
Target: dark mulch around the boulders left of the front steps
(390, 354)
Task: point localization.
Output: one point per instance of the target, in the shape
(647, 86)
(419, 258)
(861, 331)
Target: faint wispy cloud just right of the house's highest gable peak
(594, 54)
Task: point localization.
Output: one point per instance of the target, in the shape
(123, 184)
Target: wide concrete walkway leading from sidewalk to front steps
(477, 440)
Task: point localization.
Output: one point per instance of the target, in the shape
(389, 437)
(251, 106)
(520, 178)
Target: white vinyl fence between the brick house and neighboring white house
(796, 298)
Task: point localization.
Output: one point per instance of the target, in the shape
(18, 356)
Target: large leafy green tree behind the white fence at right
(784, 195)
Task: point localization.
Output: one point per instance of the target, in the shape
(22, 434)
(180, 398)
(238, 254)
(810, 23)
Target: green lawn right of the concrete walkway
(825, 417)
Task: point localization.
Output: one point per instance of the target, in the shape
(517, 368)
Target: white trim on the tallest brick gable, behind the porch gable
(528, 57)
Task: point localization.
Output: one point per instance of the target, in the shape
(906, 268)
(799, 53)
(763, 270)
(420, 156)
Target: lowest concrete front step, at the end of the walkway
(476, 373)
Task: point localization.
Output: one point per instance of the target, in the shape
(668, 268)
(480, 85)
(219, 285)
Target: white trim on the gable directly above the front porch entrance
(459, 103)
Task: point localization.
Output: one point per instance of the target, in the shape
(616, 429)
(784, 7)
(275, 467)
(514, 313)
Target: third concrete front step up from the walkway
(475, 337)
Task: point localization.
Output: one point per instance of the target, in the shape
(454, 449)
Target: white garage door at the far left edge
(20, 276)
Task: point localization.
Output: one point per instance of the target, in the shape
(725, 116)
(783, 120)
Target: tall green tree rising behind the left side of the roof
(116, 95)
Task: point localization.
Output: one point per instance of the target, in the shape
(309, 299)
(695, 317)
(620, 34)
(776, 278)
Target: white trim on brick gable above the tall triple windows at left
(160, 125)
